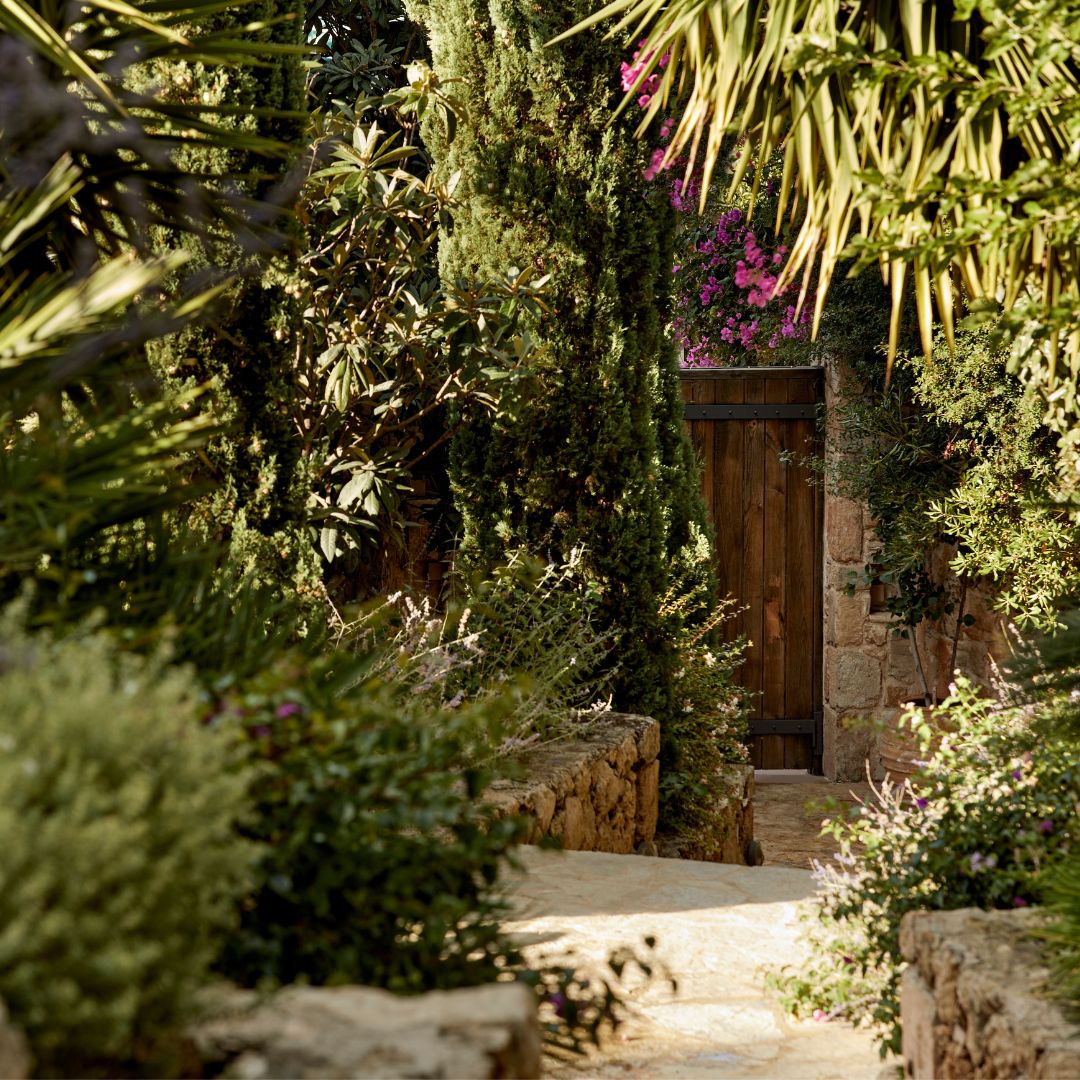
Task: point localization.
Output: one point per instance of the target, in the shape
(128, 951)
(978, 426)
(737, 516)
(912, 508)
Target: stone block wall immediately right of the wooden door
(870, 670)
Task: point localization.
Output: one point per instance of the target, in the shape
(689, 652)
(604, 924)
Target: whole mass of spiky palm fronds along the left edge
(89, 448)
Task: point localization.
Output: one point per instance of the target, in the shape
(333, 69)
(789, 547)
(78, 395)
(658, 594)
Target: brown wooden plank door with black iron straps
(768, 521)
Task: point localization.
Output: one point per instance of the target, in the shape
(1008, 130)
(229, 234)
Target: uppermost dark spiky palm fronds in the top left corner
(123, 132)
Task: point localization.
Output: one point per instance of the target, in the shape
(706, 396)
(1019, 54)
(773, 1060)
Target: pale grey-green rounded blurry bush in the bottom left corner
(121, 866)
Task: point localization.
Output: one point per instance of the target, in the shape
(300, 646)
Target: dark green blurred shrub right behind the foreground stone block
(381, 866)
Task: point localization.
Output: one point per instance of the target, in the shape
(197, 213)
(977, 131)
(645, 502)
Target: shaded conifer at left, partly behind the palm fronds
(247, 349)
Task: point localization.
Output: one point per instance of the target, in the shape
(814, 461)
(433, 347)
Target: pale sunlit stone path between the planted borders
(719, 929)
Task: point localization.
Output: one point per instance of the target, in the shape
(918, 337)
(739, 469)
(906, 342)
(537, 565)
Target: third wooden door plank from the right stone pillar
(753, 499)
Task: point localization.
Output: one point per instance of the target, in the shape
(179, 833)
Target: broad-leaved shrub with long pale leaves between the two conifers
(394, 361)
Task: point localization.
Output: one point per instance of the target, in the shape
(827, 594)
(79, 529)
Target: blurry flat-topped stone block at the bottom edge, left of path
(346, 1032)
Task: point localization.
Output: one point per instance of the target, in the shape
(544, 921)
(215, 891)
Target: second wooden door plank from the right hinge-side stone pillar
(775, 495)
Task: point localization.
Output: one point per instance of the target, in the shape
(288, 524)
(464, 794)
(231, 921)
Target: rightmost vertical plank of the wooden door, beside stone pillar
(801, 572)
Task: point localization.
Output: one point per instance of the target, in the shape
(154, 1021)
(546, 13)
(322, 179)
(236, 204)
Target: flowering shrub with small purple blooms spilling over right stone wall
(997, 808)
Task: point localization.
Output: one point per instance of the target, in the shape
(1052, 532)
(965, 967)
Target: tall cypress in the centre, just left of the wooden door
(599, 457)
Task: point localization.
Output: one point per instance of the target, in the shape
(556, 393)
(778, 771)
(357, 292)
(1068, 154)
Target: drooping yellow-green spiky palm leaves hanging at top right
(943, 134)
